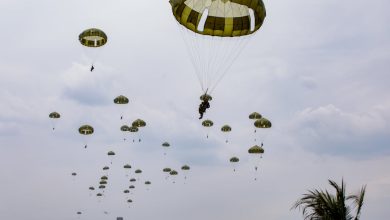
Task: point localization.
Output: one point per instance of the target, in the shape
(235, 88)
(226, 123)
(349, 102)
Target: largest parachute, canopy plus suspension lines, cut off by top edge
(215, 32)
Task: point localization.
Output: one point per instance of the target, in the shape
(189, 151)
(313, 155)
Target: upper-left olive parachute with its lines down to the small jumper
(92, 39)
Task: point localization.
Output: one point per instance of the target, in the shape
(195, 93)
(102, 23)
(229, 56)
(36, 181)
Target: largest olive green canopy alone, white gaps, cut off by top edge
(225, 18)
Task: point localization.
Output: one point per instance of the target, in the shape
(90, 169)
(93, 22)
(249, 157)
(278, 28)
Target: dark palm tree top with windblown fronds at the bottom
(321, 205)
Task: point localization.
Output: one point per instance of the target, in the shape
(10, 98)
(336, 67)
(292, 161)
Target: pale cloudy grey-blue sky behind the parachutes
(317, 69)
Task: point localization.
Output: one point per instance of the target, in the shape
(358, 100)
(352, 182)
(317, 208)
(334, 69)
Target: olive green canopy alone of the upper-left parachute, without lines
(93, 38)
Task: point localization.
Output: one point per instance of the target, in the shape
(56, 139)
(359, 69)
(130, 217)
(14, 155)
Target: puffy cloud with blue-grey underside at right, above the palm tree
(330, 130)
